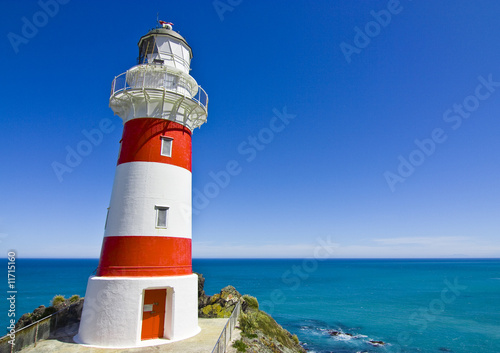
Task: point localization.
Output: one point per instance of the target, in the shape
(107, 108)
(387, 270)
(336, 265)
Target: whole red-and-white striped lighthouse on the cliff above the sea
(144, 291)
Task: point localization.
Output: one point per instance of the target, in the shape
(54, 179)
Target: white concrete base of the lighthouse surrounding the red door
(112, 310)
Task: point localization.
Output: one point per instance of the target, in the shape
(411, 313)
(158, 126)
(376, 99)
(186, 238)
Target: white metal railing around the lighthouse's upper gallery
(159, 78)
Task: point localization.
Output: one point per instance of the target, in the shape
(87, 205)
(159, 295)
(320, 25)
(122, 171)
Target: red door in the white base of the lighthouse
(153, 313)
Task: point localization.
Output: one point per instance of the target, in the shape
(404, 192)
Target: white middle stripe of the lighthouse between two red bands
(138, 188)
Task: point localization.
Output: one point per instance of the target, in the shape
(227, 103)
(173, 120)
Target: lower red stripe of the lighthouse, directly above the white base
(145, 256)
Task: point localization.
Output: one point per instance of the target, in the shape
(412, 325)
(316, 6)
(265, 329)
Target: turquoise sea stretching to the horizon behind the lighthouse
(332, 305)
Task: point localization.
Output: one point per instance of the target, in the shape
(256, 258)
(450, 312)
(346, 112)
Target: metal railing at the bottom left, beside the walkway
(34, 332)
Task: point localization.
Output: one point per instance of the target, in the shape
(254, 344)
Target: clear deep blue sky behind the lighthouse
(369, 125)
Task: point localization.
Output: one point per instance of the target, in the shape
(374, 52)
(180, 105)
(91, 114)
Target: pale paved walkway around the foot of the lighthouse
(204, 342)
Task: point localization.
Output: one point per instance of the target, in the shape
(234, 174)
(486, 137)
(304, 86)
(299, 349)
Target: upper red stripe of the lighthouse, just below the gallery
(141, 142)
